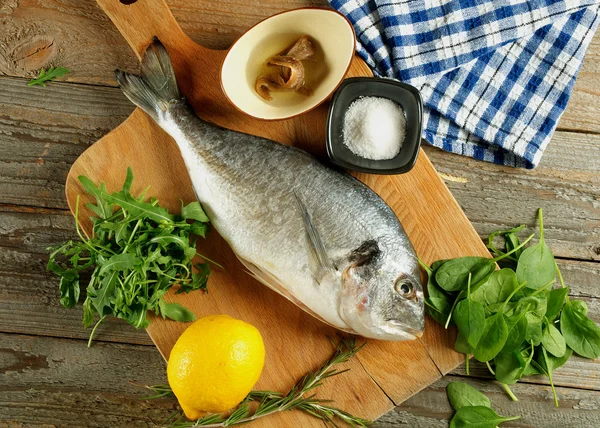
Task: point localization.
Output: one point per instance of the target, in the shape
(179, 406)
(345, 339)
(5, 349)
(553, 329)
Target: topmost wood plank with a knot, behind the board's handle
(77, 34)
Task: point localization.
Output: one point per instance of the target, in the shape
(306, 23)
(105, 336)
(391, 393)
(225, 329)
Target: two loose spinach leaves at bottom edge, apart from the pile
(472, 408)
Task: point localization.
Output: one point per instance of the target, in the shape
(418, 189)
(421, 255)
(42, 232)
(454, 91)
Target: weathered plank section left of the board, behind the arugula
(28, 293)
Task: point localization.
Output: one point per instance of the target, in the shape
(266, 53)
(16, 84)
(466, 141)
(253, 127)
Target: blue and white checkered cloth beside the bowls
(495, 75)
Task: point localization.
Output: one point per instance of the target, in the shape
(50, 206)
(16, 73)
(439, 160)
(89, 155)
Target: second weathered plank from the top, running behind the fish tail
(42, 131)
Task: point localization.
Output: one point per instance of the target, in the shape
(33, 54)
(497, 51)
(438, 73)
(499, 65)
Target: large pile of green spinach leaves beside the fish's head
(511, 318)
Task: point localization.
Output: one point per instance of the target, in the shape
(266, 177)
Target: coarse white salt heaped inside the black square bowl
(374, 128)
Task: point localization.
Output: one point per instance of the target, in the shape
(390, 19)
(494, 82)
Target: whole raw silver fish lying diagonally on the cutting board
(319, 237)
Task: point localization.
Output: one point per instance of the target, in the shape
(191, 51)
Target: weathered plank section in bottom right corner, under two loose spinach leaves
(430, 408)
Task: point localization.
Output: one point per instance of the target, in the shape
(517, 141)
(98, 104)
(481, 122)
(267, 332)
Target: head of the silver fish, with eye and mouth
(382, 295)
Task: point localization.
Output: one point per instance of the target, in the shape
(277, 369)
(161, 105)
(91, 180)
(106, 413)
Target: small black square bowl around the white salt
(407, 96)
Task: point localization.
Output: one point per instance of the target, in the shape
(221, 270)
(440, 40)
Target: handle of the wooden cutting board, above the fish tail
(140, 20)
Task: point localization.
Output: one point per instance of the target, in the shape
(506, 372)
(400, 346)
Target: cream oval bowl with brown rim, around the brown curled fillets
(332, 36)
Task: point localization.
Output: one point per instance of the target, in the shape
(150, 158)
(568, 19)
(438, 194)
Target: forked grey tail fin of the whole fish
(156, 89)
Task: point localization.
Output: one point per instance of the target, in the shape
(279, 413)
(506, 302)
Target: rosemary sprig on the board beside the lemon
(269, 402)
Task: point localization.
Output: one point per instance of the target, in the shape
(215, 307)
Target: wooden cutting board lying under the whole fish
(384, 373)
